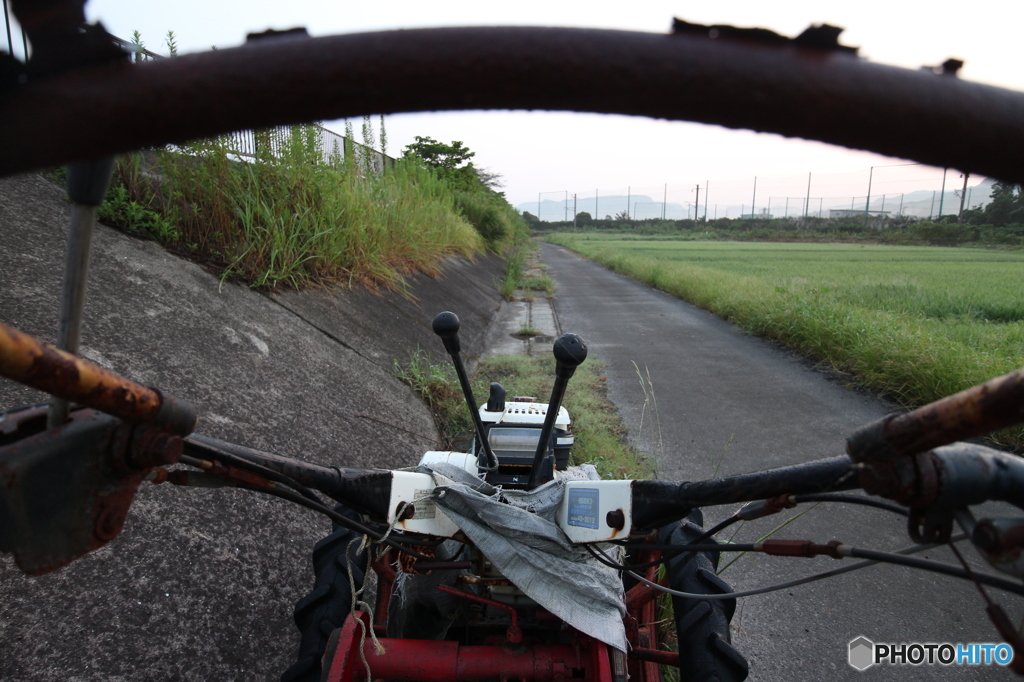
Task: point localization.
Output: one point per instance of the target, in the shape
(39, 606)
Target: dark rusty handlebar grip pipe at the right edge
(995, 405)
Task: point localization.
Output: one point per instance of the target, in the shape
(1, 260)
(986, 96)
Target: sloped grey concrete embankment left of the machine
(201, 584)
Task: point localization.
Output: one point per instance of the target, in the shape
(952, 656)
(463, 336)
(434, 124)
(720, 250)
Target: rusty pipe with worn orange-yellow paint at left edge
(28, 361)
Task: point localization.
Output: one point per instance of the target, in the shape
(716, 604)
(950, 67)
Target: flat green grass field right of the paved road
(914, 323)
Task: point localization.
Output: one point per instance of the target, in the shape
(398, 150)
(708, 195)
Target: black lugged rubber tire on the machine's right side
(706, 653)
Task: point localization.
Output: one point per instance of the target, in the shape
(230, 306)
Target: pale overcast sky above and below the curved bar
(574, 153)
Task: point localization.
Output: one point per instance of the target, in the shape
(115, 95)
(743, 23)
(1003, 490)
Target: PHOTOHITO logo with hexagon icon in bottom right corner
(865, 654)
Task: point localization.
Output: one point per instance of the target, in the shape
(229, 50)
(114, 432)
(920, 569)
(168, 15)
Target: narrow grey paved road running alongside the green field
(724, 396)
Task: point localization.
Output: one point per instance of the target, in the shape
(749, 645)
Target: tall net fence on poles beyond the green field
(893, 191)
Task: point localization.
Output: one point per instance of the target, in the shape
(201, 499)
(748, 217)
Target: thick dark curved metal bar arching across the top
(783, 89)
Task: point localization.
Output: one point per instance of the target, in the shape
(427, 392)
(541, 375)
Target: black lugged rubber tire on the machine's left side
(326, 609)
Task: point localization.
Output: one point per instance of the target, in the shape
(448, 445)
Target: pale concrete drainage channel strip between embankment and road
(527, 325)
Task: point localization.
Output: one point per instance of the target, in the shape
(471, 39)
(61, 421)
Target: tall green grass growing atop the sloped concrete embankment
(287, 219)
